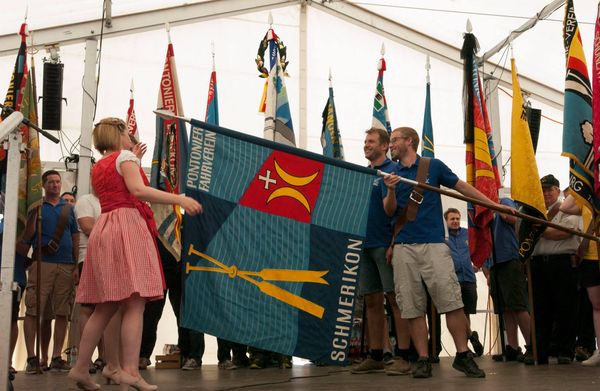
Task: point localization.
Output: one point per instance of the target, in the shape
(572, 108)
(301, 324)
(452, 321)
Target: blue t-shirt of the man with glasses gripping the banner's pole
(428, 227)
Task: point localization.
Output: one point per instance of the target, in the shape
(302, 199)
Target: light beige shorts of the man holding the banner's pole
(429, 264)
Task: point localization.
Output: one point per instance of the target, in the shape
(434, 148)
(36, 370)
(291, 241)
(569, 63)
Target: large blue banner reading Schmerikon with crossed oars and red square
(273, 260)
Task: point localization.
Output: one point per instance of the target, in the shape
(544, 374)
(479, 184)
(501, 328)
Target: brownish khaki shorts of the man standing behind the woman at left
(56, 289)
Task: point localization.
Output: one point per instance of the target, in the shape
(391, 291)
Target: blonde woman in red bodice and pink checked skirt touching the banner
(122, 267)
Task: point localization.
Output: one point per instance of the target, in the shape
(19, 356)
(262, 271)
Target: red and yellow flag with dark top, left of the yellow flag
(482, 170)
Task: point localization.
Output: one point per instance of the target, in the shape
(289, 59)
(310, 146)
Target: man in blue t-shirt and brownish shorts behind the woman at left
(58, 275)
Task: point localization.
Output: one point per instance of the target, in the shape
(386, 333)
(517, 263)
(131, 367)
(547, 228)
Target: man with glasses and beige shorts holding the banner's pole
(421, 256)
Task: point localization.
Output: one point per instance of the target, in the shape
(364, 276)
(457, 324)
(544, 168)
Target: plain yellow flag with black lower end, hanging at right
(524, 186)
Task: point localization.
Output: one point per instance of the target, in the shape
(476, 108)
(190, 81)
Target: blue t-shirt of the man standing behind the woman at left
(50, 217)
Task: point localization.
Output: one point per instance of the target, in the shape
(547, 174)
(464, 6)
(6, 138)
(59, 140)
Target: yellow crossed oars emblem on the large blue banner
(266, 275)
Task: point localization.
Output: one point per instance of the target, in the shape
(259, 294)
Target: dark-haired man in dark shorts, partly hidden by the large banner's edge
(376, 276)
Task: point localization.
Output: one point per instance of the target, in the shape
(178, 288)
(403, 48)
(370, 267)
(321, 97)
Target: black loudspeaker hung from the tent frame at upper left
(52, 98)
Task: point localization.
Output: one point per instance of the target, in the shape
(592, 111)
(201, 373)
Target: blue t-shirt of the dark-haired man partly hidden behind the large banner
(379, 225)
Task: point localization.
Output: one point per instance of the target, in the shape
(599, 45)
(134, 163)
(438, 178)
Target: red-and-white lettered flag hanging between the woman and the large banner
(169, 161)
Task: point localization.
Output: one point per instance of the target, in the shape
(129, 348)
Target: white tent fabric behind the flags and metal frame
(350, 51)
